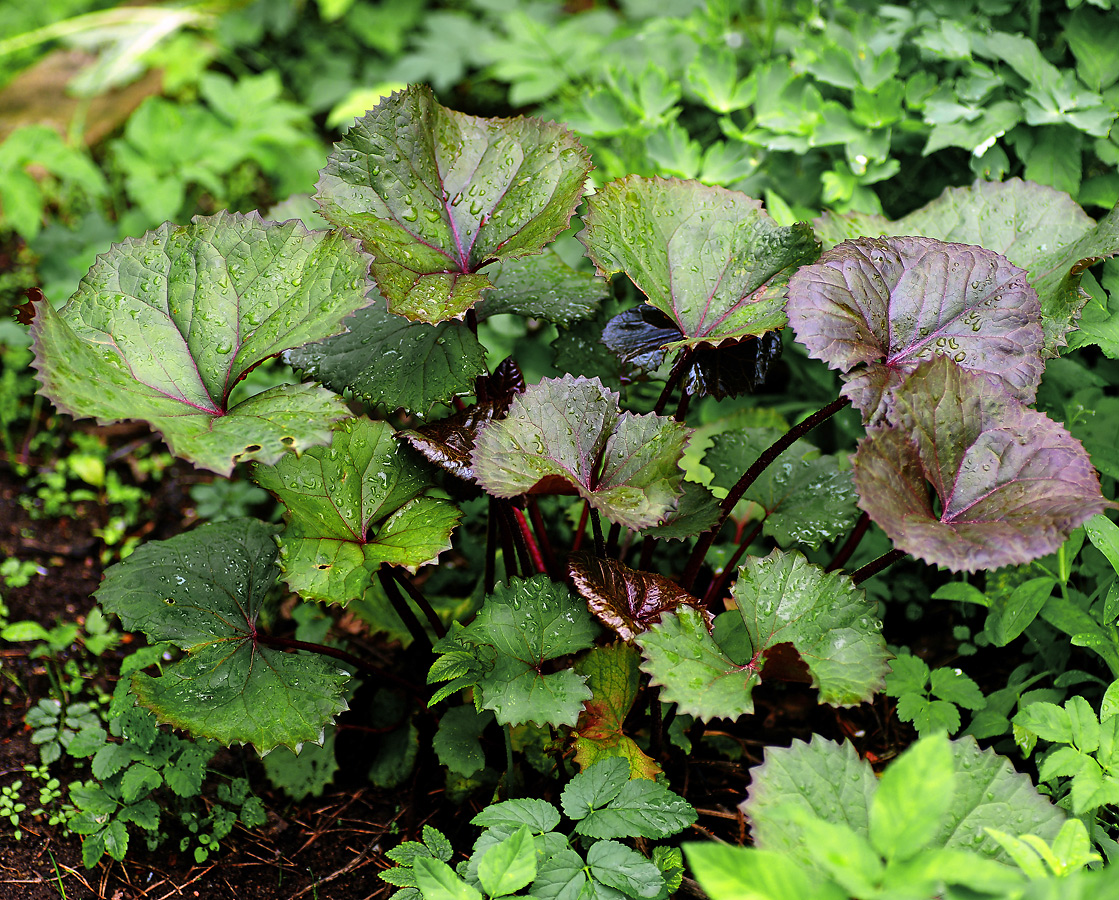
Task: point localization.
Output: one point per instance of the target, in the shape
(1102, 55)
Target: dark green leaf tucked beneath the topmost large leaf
(392, 363)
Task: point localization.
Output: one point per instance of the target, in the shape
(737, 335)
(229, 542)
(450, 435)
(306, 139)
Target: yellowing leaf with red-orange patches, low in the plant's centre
(614, 677)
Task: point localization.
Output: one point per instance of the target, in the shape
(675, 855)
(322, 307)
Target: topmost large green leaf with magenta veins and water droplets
(437, 195)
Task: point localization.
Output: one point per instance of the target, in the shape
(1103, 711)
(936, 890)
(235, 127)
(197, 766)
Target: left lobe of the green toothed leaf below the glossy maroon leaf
(693, 672)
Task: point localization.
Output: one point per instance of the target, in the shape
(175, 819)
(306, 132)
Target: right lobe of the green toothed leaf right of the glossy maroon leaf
(828, 620)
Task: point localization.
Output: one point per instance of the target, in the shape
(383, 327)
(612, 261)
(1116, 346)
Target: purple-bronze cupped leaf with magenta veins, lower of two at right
(1011, 483)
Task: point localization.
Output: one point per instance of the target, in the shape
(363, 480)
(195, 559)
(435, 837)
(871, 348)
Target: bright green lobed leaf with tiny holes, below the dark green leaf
(351, 509)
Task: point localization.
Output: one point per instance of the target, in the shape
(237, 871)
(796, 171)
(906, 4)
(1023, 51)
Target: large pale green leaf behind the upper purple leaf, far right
(1037, 228)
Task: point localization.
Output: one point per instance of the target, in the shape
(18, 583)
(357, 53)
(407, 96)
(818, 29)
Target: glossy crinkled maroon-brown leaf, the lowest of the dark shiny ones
(625, 599)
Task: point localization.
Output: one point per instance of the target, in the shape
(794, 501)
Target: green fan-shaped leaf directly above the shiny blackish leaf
(710, 259)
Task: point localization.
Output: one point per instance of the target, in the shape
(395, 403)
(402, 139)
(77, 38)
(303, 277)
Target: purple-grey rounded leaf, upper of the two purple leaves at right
(891, 303)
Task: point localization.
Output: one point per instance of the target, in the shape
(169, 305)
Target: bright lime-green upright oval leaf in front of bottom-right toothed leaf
(914, 798)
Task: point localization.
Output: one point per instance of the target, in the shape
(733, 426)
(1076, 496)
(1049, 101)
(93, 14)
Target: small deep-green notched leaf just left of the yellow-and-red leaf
(521, 627)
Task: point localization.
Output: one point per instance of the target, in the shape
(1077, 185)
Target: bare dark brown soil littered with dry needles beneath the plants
(333, 846)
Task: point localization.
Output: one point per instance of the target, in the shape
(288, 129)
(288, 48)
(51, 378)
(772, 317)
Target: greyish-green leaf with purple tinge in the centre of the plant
(570, 436)
